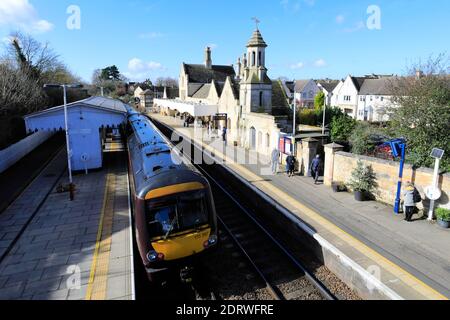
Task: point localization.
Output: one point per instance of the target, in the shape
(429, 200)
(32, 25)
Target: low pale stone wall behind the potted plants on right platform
(387, 176)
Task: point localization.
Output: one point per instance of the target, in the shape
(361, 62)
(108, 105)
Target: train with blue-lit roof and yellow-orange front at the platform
(173, 208)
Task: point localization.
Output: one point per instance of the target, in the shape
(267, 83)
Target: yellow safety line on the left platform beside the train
(100, 264)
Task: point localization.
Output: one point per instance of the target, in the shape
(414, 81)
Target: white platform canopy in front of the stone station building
(192, 108)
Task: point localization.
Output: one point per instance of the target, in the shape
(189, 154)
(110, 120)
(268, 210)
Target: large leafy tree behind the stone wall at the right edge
(422, 115)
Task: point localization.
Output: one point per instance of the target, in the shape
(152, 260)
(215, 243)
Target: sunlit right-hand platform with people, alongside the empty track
(365, 244)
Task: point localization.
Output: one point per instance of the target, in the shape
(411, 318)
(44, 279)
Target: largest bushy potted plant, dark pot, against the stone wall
(363, 181)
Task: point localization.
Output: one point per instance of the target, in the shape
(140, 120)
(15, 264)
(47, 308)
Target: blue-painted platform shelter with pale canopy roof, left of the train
(85, 120)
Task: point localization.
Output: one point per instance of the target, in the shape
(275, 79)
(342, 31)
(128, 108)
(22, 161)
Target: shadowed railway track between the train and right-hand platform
(284, 276)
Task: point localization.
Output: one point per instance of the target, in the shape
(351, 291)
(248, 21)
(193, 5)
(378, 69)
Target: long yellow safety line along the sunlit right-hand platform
(402, 274)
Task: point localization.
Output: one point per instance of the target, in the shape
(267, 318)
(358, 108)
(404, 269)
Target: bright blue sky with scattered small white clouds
(306, 38)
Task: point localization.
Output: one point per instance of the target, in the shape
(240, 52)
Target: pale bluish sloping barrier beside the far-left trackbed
(14, 153)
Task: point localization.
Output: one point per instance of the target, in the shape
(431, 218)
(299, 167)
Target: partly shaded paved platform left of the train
(52, 248)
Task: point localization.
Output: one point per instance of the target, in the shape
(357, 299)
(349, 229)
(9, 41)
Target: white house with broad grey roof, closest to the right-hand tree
(375, 99)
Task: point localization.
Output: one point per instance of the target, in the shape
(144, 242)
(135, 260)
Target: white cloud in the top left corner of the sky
(21, 14)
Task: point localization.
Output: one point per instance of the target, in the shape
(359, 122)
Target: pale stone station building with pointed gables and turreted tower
(256, 107)
